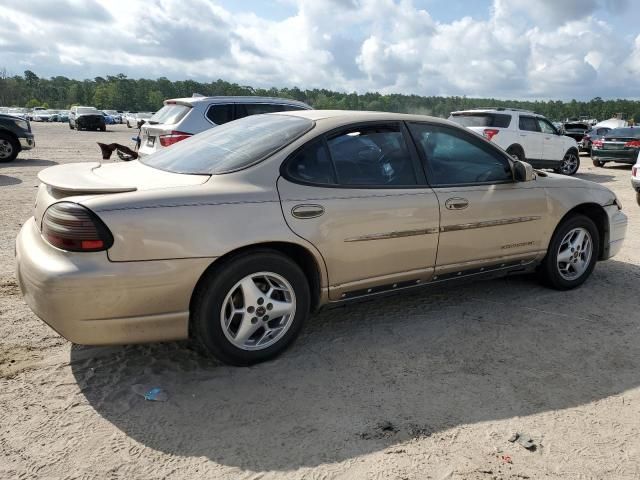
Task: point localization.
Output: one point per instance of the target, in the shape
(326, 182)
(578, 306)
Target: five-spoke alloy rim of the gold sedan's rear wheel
(258, 311)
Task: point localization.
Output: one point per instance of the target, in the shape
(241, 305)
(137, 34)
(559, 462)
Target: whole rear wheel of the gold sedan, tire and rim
(250, 309)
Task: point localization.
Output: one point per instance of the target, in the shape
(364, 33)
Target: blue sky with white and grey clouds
(515, 49)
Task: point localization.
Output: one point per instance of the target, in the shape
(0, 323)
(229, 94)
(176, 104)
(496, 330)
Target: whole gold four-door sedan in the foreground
(234, 236)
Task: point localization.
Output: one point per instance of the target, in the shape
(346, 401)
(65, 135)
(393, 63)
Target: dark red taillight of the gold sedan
(70, 226)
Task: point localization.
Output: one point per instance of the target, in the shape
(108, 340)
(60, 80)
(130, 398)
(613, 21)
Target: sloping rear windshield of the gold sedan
(232, 146)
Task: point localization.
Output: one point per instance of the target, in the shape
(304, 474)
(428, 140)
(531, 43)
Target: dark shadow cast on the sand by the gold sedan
(367, 376)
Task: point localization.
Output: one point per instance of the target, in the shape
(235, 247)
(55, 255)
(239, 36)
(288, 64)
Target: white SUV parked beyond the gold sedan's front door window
(524, 135)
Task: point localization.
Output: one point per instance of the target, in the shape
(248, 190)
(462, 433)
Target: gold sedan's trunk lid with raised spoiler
(83, 180)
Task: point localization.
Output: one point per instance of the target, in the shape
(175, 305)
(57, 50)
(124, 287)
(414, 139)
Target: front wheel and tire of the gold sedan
(572, 254)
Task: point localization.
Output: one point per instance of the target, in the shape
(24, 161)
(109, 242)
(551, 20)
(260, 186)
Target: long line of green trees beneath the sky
(122, 93)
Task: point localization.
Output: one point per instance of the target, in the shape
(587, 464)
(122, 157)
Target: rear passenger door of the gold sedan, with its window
(358, 195)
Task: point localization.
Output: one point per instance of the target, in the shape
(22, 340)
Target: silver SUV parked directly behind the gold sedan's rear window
(181, 118)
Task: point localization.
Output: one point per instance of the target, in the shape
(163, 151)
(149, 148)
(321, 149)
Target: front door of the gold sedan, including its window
(486, 219)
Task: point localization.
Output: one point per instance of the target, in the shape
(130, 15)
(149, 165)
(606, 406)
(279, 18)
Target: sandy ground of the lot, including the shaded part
(426, 386)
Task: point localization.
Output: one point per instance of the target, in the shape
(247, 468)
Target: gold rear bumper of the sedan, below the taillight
(90, 300)
